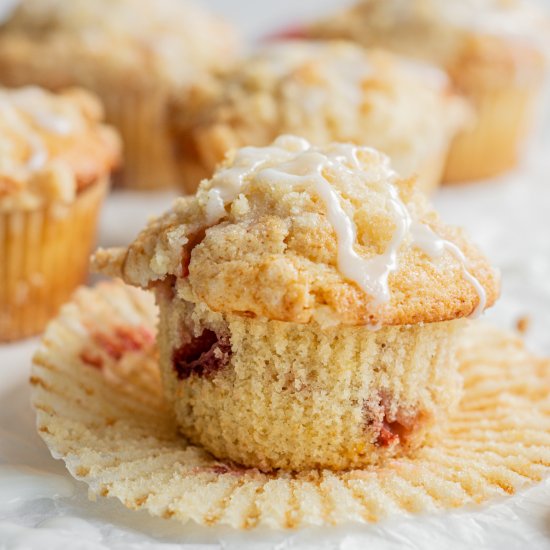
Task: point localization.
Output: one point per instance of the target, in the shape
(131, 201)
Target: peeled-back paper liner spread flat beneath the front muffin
(96, 390)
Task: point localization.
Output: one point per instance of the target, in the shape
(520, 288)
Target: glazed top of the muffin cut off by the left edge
(51, 146)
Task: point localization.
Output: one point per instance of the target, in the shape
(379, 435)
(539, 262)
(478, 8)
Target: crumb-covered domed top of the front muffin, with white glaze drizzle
(298, 233)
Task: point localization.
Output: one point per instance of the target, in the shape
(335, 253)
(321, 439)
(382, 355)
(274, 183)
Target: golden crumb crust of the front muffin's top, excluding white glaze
(274, 252)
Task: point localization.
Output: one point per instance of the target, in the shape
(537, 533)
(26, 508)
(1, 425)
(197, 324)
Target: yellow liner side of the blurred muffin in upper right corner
(494, 144)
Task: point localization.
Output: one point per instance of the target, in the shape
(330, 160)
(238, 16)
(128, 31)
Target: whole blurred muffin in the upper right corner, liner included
(494, 51)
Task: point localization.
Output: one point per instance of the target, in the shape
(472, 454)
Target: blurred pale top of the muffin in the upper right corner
(443, 31)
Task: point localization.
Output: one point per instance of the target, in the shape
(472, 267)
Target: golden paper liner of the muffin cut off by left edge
(43, 258)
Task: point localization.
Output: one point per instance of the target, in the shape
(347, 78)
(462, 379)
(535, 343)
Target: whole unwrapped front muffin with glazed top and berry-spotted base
(310, 302)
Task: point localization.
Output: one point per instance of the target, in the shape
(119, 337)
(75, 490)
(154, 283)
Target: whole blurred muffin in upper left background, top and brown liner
(133, 53)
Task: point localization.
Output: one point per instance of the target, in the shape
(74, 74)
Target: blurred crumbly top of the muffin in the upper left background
(130, 41)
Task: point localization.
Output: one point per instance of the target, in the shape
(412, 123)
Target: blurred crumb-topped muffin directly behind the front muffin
(324, 92)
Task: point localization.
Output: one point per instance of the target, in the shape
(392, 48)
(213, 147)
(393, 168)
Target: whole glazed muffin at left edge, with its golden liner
(55, 161)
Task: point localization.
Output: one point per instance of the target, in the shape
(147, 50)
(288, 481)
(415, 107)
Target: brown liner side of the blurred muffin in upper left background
(140, 118)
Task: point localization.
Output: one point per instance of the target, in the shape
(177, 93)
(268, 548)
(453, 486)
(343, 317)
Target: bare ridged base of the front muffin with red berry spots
(270, 394)
